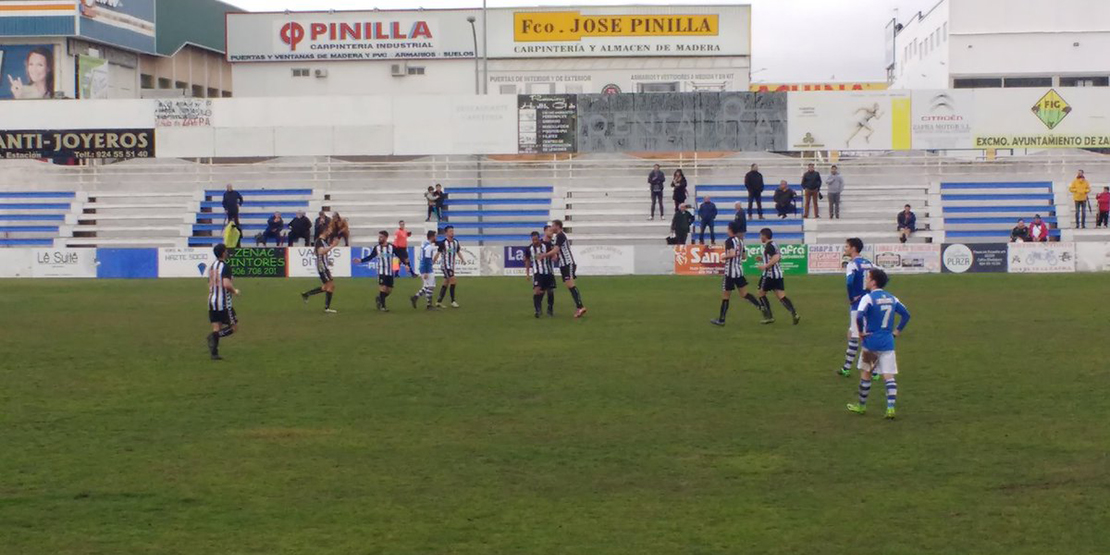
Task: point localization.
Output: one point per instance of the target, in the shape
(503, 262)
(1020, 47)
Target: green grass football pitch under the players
(641, 430)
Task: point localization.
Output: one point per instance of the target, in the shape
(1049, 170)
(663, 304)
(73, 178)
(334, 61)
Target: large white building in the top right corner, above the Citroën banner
(1004, 44)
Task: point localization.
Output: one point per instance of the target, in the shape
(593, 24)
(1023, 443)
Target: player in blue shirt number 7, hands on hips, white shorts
(876, 322)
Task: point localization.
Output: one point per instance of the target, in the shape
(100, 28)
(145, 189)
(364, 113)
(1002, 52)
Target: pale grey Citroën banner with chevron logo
(943, 119)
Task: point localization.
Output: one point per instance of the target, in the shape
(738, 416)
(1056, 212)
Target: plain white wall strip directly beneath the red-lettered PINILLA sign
(276, 79)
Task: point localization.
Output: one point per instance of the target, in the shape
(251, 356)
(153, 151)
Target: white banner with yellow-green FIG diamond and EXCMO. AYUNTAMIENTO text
(1042, 119)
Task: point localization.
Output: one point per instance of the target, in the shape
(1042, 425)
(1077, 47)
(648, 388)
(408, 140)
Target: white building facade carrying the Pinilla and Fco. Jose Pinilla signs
(500, 52)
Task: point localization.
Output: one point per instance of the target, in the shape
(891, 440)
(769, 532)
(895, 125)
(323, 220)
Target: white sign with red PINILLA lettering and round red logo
(351, 36)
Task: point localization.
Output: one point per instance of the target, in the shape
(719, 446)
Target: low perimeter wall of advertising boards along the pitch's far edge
(593, 260)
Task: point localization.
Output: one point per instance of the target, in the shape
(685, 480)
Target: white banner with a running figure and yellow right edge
(863, 120)
